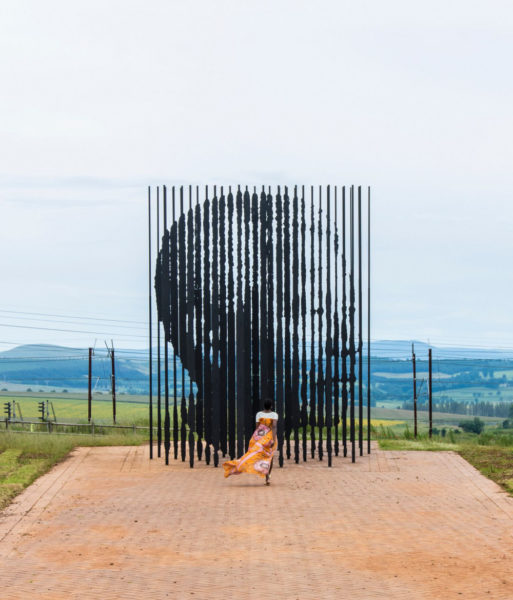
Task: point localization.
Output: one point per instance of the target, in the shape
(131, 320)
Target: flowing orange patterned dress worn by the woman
(258, 458)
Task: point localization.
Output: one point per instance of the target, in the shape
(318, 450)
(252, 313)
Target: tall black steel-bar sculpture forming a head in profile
(258, 299)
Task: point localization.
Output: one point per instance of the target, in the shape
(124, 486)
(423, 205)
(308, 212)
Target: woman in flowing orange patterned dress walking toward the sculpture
(262, 445)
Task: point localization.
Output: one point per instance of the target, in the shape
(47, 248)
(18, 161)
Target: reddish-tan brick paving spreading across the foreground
(108, 523)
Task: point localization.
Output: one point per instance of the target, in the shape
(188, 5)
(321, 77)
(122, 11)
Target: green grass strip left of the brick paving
(24, 457)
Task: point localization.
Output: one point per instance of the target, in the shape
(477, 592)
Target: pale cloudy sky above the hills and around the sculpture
(101, 99)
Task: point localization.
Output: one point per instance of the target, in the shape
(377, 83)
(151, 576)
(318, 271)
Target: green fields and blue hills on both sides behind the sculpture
(472, 408)
